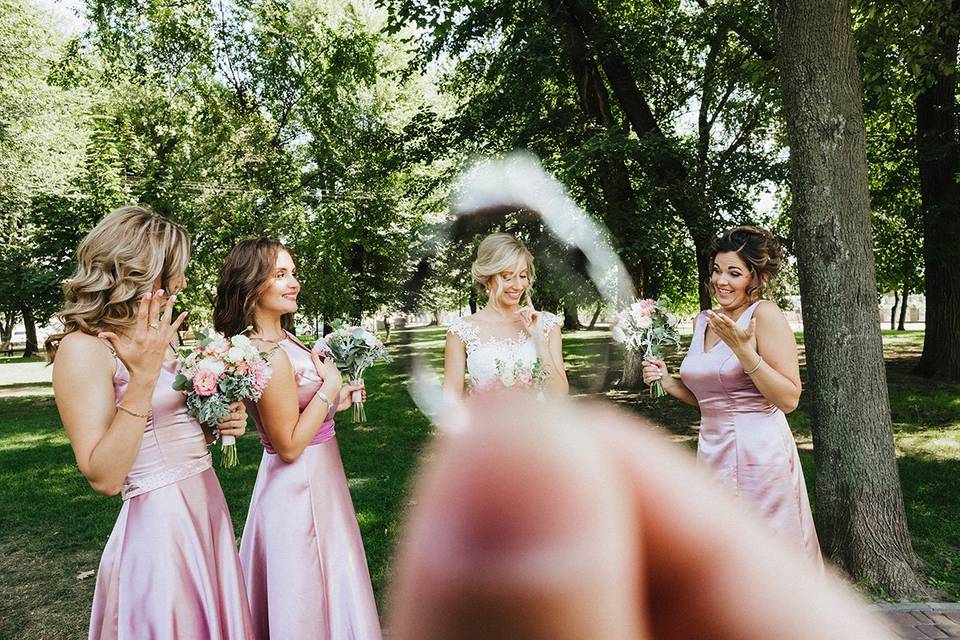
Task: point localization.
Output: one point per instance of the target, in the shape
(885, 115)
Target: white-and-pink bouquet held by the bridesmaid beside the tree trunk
(645, 327)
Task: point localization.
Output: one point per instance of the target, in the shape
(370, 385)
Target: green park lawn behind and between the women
(53, 526)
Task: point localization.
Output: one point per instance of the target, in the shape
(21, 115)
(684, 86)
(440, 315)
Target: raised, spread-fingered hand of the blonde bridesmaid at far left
(143, 350)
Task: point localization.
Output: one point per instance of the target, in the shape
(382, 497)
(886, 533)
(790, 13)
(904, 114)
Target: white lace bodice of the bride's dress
(491, 359)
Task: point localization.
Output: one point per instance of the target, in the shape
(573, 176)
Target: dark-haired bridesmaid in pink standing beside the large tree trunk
(743, 373)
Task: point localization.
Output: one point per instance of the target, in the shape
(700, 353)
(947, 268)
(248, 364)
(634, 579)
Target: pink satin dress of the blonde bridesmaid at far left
(170, 567)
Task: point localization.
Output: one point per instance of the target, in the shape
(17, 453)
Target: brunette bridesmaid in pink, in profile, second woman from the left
(303, 559)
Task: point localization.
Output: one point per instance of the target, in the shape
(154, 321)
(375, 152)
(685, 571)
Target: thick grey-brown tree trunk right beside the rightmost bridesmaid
(860, 514)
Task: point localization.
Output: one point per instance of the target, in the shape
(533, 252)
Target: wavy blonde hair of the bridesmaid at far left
(117, 262)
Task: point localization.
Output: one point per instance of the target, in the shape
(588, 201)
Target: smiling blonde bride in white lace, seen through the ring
(505, 344)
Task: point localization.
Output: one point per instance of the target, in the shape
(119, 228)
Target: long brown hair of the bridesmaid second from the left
(246, 273)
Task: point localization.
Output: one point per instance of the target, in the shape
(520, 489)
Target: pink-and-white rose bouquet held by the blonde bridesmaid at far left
(214, 373)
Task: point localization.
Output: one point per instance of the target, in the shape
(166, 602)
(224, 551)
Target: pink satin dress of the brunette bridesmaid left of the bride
(303, 559)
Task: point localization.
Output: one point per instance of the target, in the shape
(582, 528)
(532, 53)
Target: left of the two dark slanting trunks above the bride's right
(621, 216)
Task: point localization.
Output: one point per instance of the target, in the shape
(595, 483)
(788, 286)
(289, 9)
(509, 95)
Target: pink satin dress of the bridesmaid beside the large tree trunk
(746, 441)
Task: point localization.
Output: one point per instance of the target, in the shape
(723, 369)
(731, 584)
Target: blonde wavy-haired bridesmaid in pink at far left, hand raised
(170, 568)
